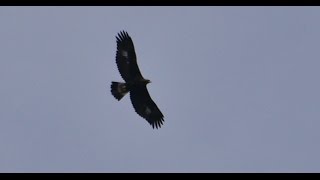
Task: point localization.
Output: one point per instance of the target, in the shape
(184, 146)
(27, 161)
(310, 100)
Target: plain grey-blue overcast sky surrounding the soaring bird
(238, 86)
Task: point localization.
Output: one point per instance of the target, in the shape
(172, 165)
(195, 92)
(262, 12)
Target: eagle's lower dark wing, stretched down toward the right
(145, 107)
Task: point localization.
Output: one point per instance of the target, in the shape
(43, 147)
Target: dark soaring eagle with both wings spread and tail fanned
(126, 61)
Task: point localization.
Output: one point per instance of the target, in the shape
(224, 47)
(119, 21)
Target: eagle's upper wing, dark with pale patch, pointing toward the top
(126, 58)
